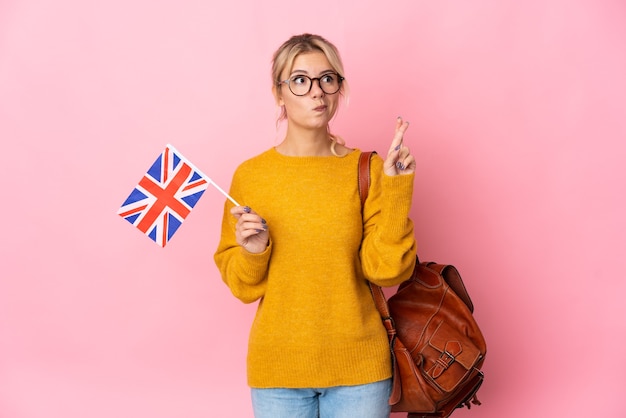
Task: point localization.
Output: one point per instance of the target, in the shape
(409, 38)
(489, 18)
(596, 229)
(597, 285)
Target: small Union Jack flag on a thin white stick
(164, 197)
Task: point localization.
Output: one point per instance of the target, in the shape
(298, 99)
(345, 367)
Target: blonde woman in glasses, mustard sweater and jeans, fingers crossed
(302, 247)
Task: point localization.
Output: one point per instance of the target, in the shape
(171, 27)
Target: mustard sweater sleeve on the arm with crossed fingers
(388, 251)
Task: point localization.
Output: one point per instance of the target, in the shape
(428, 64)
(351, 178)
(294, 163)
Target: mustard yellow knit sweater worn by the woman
(316, 323)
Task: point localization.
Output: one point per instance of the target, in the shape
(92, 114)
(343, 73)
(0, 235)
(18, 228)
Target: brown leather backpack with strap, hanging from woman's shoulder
(437, 347)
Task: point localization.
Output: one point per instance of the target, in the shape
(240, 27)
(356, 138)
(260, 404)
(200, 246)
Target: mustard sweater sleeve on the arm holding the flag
(243, 272)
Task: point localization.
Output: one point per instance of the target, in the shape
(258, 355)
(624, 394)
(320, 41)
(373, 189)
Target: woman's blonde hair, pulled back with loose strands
(286, 54)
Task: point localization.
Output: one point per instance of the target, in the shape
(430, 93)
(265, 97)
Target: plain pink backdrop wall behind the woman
(518, 125)
